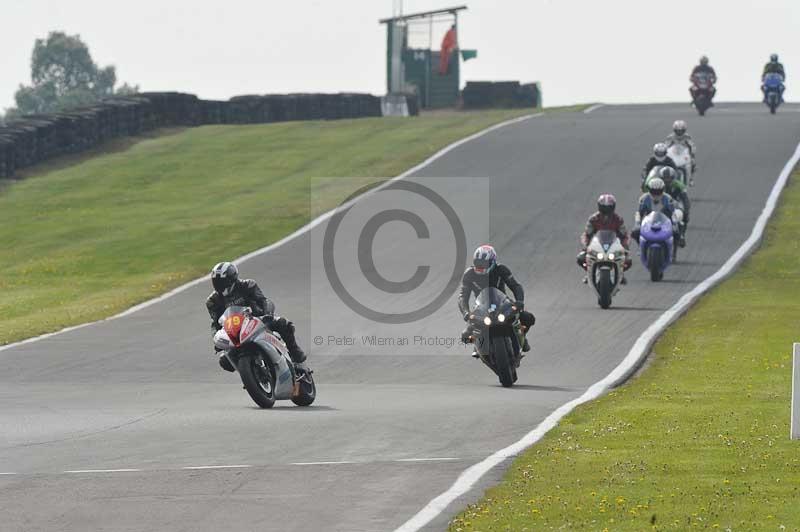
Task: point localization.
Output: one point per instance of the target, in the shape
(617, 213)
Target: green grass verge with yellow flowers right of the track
(699, 440)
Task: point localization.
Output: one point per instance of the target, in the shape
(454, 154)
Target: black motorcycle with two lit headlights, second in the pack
(495, 331)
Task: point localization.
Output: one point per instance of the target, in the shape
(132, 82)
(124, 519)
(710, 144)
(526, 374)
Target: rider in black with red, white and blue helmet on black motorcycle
(486, 272)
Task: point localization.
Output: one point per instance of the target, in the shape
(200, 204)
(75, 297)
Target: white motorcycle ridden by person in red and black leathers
(605, 262)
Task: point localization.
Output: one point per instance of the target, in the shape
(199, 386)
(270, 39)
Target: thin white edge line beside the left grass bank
(299, 232)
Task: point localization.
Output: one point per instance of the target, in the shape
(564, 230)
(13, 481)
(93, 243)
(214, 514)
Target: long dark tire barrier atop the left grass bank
(36, 138)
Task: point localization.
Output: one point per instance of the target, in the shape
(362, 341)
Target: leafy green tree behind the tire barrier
(63, 75)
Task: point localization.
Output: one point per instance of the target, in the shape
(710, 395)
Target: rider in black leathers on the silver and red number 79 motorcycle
(230, 290)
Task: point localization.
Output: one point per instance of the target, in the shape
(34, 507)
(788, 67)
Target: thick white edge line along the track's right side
(638, 352)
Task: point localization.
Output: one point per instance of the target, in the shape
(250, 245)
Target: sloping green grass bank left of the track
(84, 240)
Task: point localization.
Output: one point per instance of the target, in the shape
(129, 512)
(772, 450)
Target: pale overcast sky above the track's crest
(580, 50)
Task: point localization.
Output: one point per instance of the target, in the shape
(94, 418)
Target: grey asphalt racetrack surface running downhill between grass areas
(144, 394)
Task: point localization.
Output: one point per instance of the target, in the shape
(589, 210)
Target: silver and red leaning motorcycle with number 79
(262, 360)
